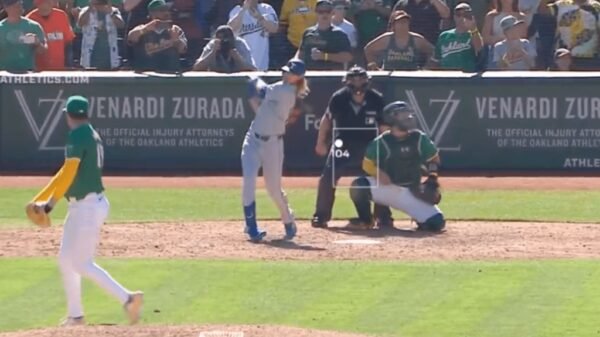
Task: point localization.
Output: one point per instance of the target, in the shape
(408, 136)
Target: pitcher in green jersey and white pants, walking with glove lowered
(80, 181)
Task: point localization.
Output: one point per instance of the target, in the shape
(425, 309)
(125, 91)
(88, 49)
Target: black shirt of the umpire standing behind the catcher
(345, 113)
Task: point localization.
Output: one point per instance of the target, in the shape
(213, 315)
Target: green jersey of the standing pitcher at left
(85, 143)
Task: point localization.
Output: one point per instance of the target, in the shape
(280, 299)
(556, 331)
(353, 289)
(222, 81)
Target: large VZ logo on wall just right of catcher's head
(447, 108)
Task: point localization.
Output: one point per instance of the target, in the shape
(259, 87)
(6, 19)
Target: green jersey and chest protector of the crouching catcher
(402, 159)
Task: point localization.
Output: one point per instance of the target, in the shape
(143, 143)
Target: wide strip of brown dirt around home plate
(225, 240)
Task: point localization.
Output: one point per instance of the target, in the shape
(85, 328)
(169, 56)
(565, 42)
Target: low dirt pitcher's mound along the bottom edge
(178, 331)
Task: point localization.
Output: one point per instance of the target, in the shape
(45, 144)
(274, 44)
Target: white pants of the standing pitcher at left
(78, 247)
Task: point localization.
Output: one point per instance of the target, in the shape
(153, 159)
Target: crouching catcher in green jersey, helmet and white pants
(394, 163)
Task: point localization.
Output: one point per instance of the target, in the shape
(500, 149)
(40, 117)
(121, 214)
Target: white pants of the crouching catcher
(401, 198)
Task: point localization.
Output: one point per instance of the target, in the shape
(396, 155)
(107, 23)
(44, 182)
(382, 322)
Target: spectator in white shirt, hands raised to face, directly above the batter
(253, 22)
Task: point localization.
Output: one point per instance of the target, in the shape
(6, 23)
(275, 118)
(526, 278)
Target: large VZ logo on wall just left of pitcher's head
(52, 112)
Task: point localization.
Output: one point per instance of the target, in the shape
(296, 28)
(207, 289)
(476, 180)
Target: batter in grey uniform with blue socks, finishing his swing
(263, 145)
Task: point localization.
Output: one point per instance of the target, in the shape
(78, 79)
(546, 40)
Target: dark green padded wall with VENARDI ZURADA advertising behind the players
(153, 123)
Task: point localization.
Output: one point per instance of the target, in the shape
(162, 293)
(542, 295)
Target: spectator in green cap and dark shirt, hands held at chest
(158, 43)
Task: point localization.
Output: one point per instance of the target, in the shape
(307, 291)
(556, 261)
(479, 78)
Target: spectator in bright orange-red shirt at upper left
(58, 33)
